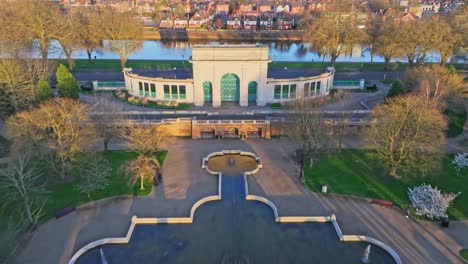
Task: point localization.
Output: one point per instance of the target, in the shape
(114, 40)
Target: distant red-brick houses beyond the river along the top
(251, 15)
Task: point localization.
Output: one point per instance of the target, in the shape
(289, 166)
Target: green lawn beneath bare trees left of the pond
(65, 195)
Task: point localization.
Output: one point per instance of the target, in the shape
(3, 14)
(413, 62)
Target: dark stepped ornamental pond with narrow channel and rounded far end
(234, 230)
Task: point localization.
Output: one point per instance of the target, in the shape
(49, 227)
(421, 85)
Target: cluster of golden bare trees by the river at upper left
(32, 27)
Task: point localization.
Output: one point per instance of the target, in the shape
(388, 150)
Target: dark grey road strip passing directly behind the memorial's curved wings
(112, 76)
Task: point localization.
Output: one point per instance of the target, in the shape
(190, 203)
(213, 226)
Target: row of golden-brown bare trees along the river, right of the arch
(335, 33)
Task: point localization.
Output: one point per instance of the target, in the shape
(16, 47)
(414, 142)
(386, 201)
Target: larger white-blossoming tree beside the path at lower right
(430, 201)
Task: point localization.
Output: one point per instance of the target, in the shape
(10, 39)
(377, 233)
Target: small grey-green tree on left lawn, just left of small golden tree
(94, 176)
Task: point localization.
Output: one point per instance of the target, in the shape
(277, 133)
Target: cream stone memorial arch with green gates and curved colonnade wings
(229, 73)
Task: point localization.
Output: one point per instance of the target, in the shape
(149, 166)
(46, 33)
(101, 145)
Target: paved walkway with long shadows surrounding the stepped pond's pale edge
(184, 183)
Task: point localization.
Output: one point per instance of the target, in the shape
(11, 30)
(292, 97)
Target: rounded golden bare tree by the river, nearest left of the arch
(123, 32)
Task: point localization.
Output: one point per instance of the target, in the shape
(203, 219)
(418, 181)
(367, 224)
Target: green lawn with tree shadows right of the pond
(360, 173)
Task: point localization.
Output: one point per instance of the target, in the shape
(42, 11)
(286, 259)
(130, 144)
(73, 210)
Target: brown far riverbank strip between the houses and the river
(231, 35)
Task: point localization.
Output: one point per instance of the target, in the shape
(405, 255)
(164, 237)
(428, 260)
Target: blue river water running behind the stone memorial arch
(182, 50)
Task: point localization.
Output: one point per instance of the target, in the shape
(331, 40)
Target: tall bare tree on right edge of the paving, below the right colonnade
(308, 128)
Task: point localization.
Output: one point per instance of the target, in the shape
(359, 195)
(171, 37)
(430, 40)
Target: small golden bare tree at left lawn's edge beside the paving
(142, 168)
